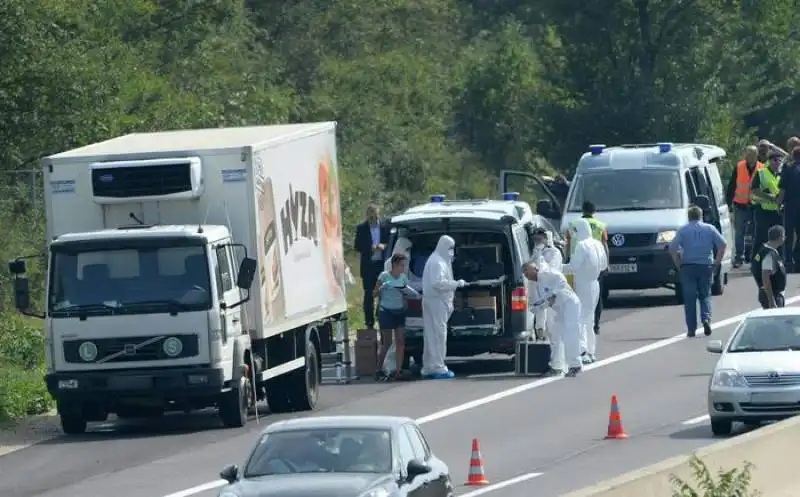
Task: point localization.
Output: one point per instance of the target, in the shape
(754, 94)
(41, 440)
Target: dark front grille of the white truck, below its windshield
(130, 349)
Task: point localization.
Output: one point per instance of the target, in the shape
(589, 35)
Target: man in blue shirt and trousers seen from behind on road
(697, 249)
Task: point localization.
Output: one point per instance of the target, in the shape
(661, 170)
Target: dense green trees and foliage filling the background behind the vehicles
(430, 95)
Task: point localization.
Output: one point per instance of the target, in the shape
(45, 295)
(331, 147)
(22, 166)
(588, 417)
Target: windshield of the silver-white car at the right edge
(767, 333)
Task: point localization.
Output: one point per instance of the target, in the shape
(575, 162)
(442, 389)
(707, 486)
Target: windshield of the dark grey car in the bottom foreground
(339, 450)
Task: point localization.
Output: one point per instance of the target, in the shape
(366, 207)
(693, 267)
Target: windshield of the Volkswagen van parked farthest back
(627, 189)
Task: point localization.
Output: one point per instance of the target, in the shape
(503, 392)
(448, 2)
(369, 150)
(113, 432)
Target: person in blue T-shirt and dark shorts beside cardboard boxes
(391, 290)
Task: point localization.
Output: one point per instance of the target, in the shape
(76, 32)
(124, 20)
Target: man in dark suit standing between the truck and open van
(371, 238)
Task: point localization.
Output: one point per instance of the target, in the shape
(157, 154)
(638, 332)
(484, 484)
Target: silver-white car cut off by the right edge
(757, 377)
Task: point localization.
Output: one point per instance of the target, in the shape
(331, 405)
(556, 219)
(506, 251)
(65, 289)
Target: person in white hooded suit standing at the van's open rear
(438, 290)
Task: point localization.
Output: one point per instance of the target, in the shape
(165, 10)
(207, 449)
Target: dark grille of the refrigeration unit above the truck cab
(145, 181)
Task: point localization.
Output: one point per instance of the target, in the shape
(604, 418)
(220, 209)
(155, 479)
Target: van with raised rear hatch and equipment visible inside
(493, 240)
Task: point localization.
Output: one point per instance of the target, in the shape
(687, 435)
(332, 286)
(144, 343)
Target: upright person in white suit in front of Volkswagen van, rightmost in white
(586, 263)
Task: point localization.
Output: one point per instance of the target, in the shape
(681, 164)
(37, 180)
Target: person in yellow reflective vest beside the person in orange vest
(765, 199)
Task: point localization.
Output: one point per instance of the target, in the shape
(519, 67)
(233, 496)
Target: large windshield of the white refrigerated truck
(130, 280)
